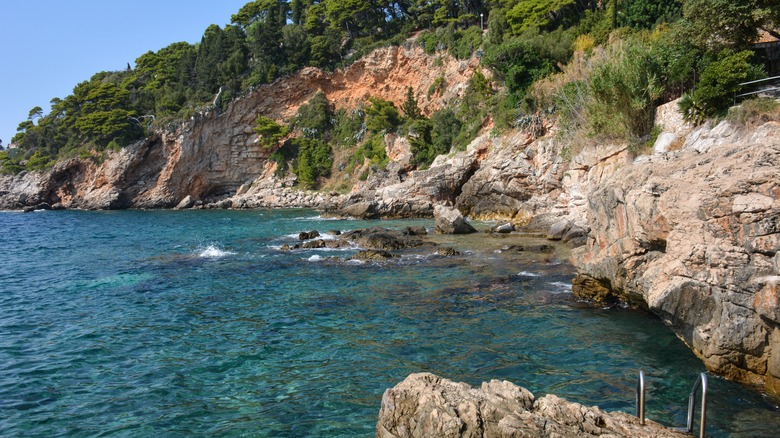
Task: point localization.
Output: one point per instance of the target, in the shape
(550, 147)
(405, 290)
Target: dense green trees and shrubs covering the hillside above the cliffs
(599, 65)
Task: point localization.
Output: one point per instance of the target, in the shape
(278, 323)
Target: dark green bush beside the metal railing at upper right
(719, 82)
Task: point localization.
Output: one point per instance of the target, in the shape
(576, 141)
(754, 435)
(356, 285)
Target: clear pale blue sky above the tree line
(49, 46)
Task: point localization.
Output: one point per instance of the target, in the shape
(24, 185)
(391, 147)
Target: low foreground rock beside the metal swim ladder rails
(425, 405)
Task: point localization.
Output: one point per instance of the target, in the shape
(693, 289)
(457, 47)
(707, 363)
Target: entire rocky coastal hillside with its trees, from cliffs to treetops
(542, 113)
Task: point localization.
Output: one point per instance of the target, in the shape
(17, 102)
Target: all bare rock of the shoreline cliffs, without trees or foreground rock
(690, 235)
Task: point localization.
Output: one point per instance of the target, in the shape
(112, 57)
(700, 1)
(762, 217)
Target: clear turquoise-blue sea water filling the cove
(193, 323)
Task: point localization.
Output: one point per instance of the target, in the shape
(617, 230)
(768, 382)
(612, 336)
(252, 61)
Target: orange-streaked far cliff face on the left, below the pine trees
(213, 154)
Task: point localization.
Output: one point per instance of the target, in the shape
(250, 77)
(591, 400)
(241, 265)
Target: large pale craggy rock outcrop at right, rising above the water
(693, 235)
